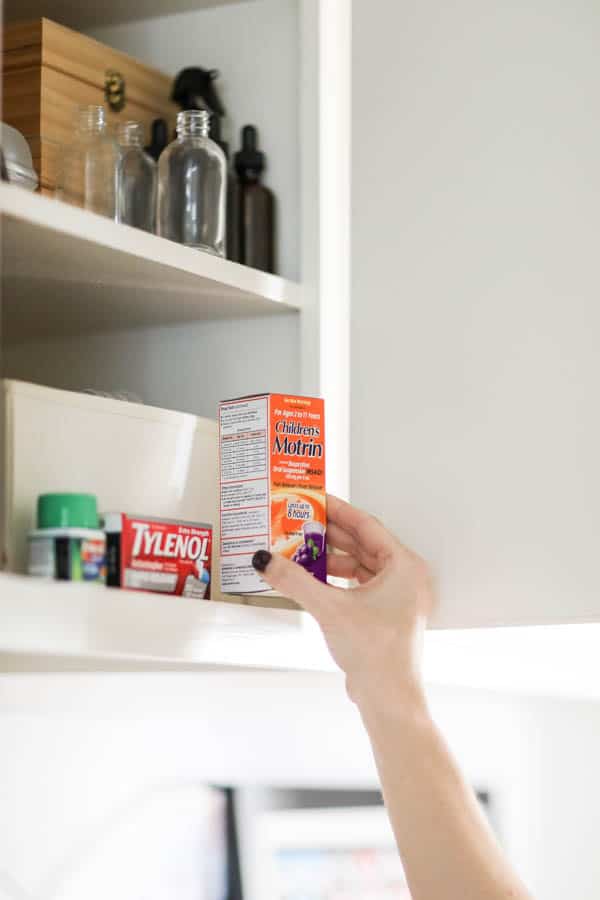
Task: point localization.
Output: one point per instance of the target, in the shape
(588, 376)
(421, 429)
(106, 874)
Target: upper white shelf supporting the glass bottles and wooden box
(68, 271)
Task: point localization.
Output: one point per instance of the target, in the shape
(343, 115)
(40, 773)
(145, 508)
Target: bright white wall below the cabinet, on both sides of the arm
(82, 756)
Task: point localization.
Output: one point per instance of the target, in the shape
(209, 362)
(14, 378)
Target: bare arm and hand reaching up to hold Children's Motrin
(375, 634)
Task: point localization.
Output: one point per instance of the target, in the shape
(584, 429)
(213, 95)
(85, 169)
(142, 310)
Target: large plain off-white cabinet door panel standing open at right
(475, 287)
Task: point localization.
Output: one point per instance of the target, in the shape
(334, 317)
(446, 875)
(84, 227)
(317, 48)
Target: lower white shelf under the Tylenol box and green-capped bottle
(57, 625)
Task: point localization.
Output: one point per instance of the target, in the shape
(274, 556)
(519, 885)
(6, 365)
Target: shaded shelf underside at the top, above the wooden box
(84, 13)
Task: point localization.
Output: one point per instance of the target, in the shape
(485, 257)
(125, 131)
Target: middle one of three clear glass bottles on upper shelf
(136, 200)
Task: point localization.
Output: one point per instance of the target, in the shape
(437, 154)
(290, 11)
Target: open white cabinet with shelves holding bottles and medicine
(90, 304)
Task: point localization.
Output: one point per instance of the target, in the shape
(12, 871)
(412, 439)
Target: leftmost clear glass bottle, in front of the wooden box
(88, 169)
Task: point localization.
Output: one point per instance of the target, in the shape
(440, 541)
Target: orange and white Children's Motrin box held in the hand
(272, 462)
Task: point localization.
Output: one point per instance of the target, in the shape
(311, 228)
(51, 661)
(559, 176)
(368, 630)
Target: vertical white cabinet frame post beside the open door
(325, 27)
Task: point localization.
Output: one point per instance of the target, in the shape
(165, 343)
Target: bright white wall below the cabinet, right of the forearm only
(538, 759)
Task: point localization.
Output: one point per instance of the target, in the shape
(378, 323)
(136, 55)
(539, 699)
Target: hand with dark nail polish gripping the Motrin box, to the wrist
(374, 631)
